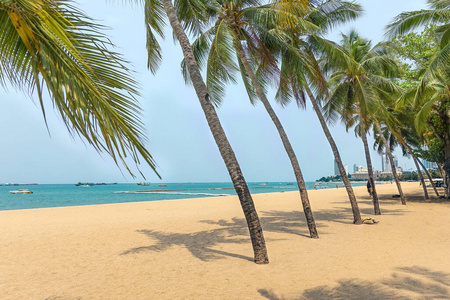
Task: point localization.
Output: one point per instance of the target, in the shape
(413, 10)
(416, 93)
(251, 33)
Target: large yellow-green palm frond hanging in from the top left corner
(53, 45)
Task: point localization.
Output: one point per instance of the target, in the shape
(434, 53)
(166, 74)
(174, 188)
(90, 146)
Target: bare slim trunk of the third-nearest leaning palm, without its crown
(337, 157)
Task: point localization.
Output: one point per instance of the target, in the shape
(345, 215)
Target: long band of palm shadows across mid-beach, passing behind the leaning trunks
(203, 244)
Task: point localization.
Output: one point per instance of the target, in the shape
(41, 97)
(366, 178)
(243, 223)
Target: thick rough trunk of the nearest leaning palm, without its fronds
(254, 226)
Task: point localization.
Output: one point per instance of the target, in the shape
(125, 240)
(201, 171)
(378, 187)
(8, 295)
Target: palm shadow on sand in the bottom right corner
(423, 283)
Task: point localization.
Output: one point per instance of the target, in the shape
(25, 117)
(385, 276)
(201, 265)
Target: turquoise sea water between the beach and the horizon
(58, 195)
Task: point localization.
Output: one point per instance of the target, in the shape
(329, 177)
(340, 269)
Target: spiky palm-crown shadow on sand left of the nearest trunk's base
(200, 244)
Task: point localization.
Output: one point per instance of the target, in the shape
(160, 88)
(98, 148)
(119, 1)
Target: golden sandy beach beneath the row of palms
(200, 249)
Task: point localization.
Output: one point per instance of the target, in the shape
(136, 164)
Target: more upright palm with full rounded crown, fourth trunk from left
(357, 73)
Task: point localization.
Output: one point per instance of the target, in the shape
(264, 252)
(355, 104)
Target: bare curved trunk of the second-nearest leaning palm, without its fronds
(287, 145)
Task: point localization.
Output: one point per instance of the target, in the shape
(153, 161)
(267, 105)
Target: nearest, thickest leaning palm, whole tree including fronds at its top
(154, 12)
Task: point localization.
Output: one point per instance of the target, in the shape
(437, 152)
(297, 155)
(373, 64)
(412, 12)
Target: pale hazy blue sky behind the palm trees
(179, 138)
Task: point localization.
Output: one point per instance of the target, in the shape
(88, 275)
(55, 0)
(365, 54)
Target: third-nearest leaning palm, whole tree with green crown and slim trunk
(300, 66)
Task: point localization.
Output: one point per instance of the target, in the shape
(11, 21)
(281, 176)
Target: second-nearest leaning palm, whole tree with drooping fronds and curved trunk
(238, 31)
